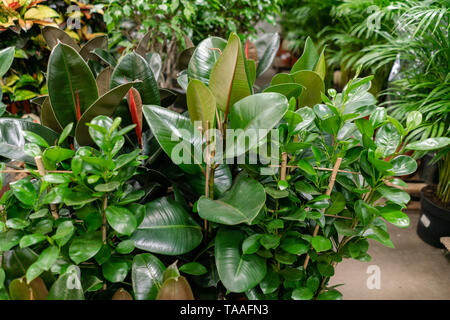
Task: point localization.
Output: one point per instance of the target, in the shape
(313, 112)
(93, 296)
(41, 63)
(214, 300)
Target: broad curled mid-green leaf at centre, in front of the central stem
(235, 206)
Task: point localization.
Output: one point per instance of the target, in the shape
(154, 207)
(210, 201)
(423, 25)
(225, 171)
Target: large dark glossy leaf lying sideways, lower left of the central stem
(167, 229)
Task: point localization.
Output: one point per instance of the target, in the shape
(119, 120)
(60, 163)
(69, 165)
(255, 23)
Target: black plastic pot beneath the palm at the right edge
(434, 221)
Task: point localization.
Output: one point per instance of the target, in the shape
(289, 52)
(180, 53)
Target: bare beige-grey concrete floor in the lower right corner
(412, 270)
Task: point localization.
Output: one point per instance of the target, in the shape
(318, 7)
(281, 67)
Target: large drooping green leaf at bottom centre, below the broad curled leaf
(238, 272)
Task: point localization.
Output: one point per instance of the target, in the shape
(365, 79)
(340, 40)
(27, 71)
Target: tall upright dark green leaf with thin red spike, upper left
(70, 84)
